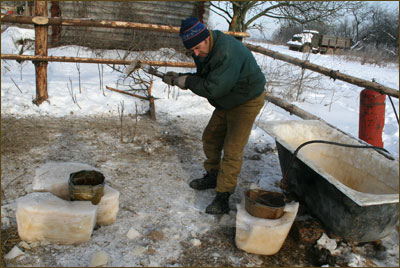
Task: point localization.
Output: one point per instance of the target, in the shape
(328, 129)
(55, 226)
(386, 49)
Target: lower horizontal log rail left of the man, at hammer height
(94, 60)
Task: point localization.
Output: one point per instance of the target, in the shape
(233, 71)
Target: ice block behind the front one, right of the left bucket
(108, 206)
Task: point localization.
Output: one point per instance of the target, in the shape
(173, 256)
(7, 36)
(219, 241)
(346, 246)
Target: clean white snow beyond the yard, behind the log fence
(336, 102)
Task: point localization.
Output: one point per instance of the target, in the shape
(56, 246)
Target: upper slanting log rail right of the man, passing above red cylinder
(325, 71)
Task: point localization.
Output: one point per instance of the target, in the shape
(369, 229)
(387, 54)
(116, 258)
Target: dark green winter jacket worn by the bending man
(229, 75)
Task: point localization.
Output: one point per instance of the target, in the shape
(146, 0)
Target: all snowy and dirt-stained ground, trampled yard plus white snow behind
(153, 171)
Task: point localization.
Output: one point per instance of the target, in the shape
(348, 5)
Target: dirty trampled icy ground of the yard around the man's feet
(152, 175)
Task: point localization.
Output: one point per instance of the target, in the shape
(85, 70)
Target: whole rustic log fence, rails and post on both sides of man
(41, 22)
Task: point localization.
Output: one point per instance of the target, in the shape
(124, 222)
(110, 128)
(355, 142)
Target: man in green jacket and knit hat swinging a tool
(229, 77)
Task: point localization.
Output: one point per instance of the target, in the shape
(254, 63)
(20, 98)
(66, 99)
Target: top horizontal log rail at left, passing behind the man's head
(102, 23)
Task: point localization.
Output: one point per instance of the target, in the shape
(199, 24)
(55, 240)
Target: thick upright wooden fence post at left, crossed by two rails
(41, 50)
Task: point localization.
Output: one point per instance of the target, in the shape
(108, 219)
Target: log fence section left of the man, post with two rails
(41, 22)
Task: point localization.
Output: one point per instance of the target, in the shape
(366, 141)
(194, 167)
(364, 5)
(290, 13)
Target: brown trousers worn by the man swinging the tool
(229, 131)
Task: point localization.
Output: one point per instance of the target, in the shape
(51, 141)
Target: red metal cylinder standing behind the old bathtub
(372, 117)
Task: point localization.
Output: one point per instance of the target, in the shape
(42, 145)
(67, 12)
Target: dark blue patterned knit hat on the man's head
(192, 32)
